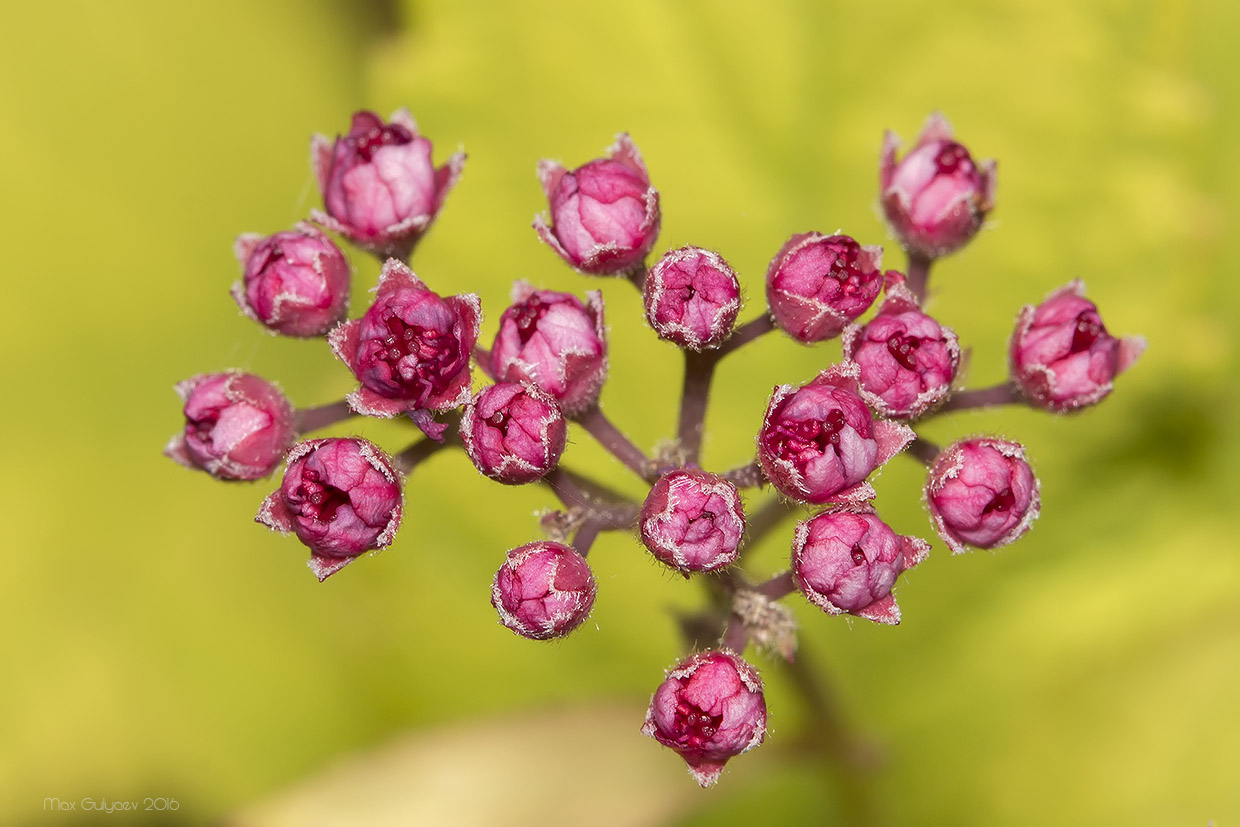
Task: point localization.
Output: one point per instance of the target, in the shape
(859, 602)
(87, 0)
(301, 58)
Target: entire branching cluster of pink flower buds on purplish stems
(416, 356)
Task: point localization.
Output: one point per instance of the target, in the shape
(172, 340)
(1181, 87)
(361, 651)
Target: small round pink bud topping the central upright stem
(693, 298)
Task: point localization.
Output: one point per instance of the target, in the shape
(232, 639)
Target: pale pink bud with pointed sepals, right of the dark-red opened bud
(555, 342)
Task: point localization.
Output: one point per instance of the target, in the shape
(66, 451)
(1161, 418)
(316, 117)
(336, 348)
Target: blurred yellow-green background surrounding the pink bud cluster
(157, 643)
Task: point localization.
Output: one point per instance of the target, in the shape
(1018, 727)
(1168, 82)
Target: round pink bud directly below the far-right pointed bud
(983, 493)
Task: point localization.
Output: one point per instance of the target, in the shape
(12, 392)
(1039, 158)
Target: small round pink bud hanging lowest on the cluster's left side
(544, 591)
